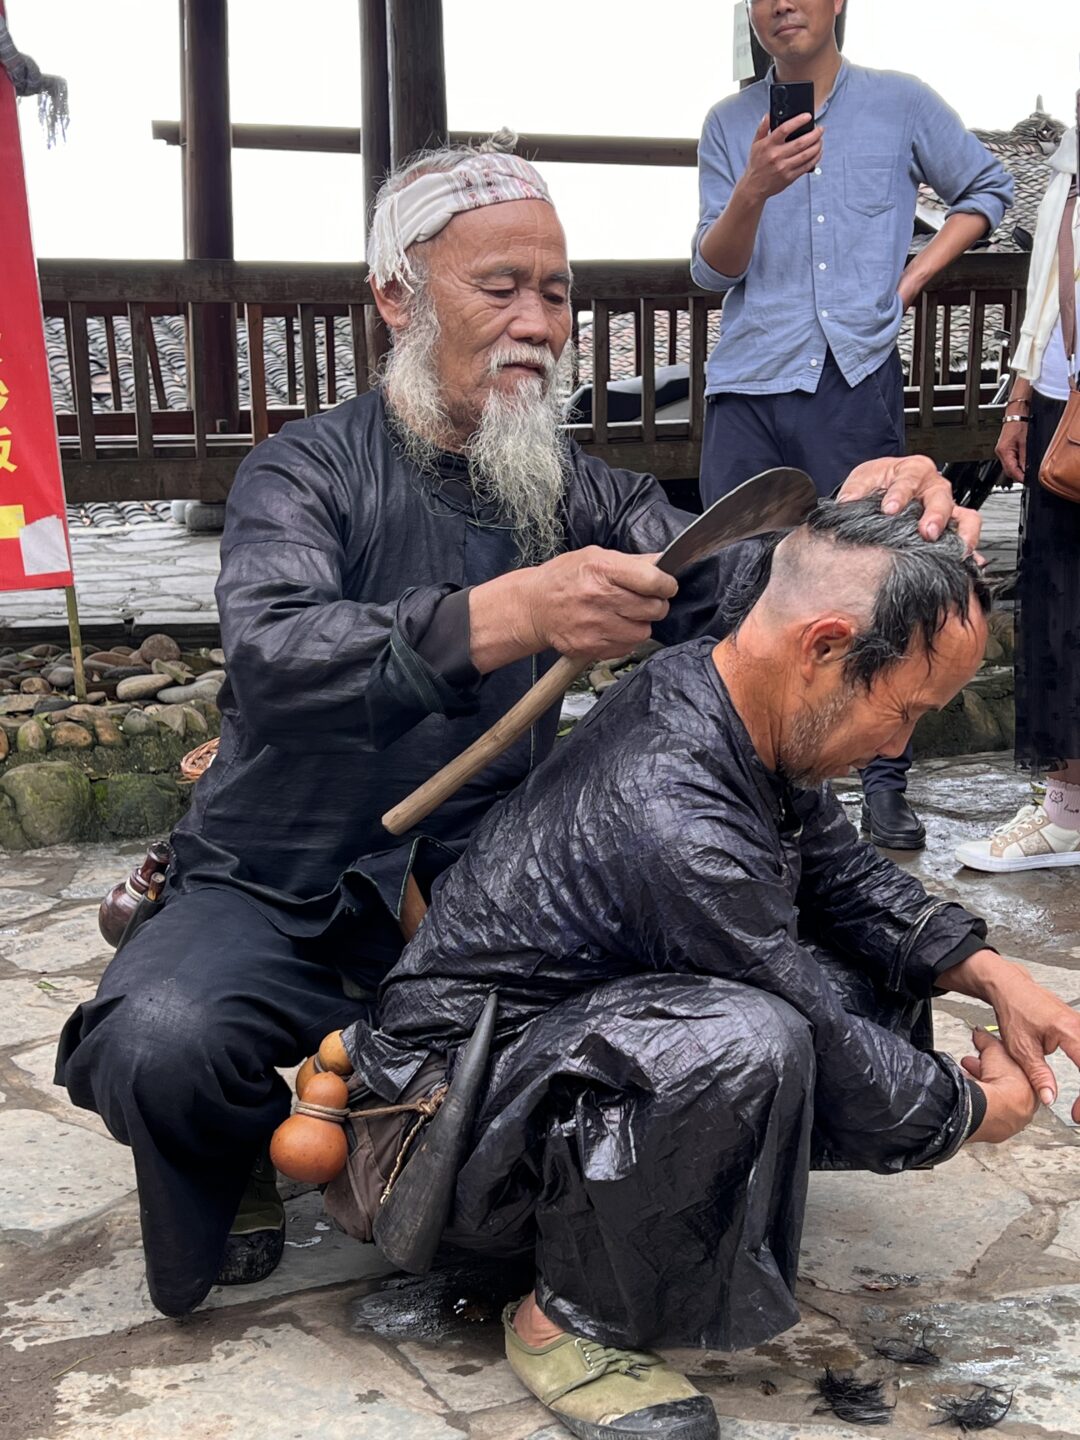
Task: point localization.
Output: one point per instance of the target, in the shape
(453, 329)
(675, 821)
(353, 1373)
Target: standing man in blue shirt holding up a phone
(810, 241)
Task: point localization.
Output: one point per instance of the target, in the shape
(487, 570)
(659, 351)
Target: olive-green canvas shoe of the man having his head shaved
(601, 1393)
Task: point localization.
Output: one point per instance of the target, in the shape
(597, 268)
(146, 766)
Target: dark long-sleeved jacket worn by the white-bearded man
(343, 601)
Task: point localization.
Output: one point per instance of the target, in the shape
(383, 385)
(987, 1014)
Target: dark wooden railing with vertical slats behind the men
(127, 438)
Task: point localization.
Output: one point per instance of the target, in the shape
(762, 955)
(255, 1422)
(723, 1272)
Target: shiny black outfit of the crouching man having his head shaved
(706, 984)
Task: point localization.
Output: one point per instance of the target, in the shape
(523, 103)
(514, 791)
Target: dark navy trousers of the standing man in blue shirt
(827, 434)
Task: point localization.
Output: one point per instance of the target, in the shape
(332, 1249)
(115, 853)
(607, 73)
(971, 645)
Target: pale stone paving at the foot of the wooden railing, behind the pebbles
(139, 578)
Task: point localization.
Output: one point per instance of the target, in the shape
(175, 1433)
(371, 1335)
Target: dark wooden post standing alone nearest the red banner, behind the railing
(210, 234)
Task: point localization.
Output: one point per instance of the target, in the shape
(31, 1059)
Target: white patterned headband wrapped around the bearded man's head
(427, 205)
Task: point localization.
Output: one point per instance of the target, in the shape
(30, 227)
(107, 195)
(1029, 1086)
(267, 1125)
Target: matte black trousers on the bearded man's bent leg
(179, 1055)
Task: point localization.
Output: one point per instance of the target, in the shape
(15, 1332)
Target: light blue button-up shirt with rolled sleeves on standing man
(832, 247)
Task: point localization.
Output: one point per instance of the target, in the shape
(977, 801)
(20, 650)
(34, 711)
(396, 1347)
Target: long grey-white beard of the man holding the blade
(518, 456)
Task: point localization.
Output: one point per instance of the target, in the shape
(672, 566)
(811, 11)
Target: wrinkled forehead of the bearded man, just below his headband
(521, 240)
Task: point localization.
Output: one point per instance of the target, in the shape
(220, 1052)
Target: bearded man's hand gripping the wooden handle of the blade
(595, 604)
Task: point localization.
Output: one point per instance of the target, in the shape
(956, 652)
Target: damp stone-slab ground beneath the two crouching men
(980, 1261)
